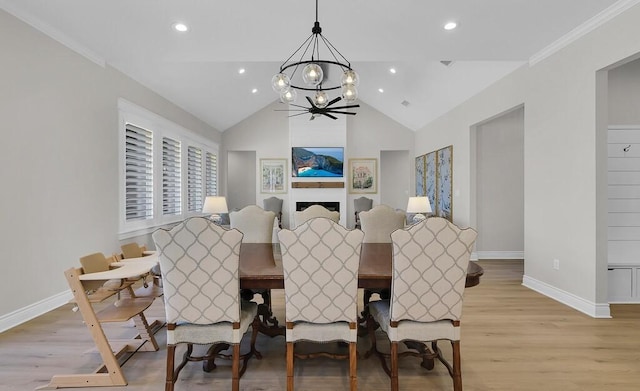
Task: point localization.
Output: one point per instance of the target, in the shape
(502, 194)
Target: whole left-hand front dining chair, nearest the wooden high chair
(200, 268)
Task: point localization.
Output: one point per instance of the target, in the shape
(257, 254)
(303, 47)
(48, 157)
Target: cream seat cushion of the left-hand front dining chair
(214, 333)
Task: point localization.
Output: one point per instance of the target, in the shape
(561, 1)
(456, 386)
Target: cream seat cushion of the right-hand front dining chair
(411, 330)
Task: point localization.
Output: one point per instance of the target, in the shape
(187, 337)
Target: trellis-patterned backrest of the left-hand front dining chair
(199, 262)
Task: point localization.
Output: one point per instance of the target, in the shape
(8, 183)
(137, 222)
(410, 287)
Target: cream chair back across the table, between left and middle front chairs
(254, 222)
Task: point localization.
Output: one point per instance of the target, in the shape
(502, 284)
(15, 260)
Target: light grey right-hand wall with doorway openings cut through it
(561, 198)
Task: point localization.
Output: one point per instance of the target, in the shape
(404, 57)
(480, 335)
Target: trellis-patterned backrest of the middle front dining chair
(320, 259)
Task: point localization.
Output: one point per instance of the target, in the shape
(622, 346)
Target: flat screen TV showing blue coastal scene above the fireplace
(317, 162)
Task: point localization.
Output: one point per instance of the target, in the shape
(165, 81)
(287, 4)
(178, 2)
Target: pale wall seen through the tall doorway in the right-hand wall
(500, 186)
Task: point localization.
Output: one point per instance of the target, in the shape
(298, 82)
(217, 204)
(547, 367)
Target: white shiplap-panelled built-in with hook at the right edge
(624, 214)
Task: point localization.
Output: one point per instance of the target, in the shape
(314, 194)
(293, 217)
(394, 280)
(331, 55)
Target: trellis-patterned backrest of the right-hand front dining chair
(430, 261)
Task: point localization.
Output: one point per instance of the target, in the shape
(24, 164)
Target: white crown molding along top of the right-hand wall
(596, 21)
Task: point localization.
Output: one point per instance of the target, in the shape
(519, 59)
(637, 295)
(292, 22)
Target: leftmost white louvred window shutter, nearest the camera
(138, 173)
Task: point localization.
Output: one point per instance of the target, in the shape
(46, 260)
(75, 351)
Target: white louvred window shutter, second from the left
(171, 177)
